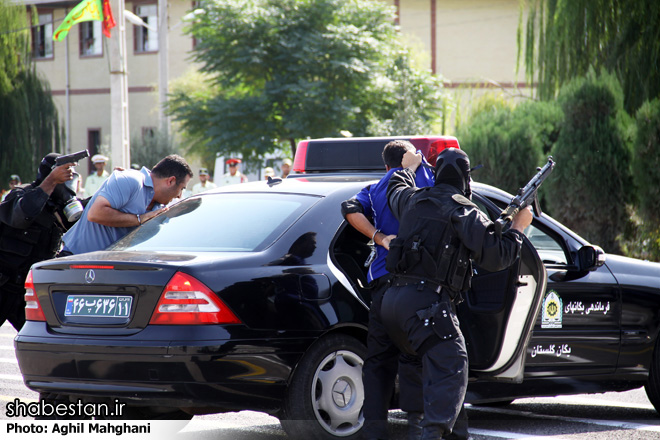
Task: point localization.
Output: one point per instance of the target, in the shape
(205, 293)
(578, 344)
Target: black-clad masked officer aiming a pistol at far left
(32, 222)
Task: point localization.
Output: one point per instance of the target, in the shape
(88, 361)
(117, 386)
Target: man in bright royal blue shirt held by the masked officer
(381, 364)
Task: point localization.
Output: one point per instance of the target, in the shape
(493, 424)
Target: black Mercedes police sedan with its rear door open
(254, 296)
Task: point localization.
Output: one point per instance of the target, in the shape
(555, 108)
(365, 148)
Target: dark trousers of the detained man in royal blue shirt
(380, 369)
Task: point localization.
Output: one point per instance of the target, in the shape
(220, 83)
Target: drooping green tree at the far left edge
(29, 125)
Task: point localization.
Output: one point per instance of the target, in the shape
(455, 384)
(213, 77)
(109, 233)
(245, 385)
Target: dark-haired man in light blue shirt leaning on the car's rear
(125, 201)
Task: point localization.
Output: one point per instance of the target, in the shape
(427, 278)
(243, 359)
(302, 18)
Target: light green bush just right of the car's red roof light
(510, 141)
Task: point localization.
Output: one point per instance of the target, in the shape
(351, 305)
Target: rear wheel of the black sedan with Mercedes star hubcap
(324, 399)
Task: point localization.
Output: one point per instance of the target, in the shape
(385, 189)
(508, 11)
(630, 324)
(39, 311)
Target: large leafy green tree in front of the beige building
(283, 70)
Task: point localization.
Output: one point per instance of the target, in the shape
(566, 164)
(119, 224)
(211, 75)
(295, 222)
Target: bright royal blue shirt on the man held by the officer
(373, 199)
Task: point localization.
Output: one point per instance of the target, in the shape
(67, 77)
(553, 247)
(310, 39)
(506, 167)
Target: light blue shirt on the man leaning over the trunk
(128, 191)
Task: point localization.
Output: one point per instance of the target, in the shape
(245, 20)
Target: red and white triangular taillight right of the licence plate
(186, 301)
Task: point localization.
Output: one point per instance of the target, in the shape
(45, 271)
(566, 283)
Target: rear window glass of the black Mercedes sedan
(224, 222)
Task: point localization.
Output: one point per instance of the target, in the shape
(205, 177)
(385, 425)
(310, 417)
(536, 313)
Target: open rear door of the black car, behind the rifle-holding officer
(499, 311)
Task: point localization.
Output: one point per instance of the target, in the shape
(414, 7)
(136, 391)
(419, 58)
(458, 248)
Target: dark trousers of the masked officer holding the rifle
(444, 362)
